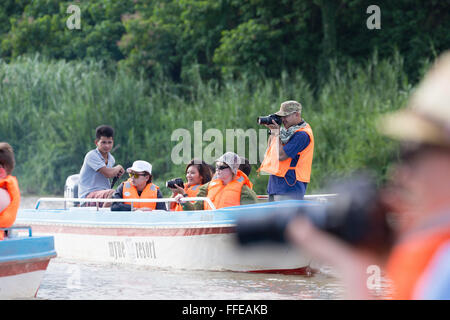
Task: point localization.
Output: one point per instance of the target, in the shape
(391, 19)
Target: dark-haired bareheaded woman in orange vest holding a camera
(197, 174)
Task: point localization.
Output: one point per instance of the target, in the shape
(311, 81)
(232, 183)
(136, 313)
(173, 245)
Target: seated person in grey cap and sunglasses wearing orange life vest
(228, 187)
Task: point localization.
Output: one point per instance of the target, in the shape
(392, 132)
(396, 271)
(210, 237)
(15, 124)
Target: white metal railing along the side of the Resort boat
(97, 201)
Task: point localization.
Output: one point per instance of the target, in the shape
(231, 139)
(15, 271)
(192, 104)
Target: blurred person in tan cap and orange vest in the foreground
(418, 194)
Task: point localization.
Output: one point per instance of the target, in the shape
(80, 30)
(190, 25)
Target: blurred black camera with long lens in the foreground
(356, 216)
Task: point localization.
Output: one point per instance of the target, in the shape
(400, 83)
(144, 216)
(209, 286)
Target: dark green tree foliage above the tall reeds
(226, 38)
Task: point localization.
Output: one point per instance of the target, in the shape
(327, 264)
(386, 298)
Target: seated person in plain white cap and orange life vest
(138, 186)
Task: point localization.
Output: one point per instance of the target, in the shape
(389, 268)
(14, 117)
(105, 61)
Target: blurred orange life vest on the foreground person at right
(410, 258)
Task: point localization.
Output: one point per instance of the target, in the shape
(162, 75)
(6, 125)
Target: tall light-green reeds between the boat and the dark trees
(49, 111)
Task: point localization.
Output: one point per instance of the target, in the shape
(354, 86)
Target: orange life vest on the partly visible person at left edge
(8, 215)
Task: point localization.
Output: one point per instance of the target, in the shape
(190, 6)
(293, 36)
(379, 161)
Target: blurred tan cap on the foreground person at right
(427, 116)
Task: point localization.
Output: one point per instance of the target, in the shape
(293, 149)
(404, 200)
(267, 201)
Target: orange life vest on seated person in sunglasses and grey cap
(225, 195)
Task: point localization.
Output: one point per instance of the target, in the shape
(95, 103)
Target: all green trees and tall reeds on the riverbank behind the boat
(150, 67)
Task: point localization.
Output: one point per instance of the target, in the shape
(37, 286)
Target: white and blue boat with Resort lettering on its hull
(193, 240)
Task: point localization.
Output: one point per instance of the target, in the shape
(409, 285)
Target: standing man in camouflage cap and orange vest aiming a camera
(289, 154)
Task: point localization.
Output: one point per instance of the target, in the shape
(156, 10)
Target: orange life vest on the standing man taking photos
(272, 165)
